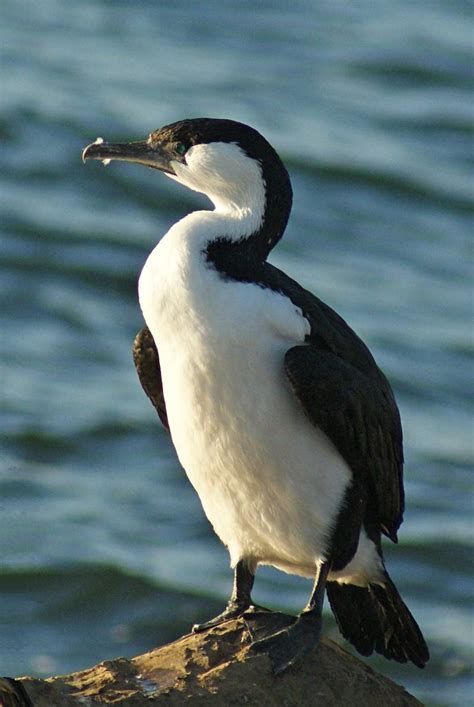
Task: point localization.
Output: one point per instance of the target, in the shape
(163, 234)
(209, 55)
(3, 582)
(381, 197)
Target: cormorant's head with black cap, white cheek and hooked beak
(230, 162)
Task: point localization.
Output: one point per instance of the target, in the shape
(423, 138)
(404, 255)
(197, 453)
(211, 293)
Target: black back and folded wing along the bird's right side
(344, 393)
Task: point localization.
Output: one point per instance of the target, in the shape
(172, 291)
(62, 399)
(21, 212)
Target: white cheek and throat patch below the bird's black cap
(232, 181)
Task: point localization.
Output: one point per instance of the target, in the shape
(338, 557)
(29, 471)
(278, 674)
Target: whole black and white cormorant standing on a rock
(282, 420)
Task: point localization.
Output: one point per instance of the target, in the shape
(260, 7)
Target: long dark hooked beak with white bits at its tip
(155, 155)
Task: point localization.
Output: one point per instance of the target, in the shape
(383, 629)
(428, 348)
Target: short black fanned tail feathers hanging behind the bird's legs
(376, 618)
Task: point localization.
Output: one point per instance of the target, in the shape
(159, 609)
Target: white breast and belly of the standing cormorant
(270, 483)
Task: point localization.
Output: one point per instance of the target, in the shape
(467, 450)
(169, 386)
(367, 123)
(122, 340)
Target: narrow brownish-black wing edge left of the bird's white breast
(147, 363)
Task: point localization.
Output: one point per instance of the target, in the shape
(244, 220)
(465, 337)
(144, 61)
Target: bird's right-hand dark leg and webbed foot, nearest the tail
(291, 644)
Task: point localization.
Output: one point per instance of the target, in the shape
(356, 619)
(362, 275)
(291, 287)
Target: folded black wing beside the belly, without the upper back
(358, 417)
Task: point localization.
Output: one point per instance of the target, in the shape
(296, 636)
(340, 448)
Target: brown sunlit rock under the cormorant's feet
(217, 668)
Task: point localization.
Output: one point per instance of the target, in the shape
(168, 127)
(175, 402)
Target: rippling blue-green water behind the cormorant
(104, 548)
